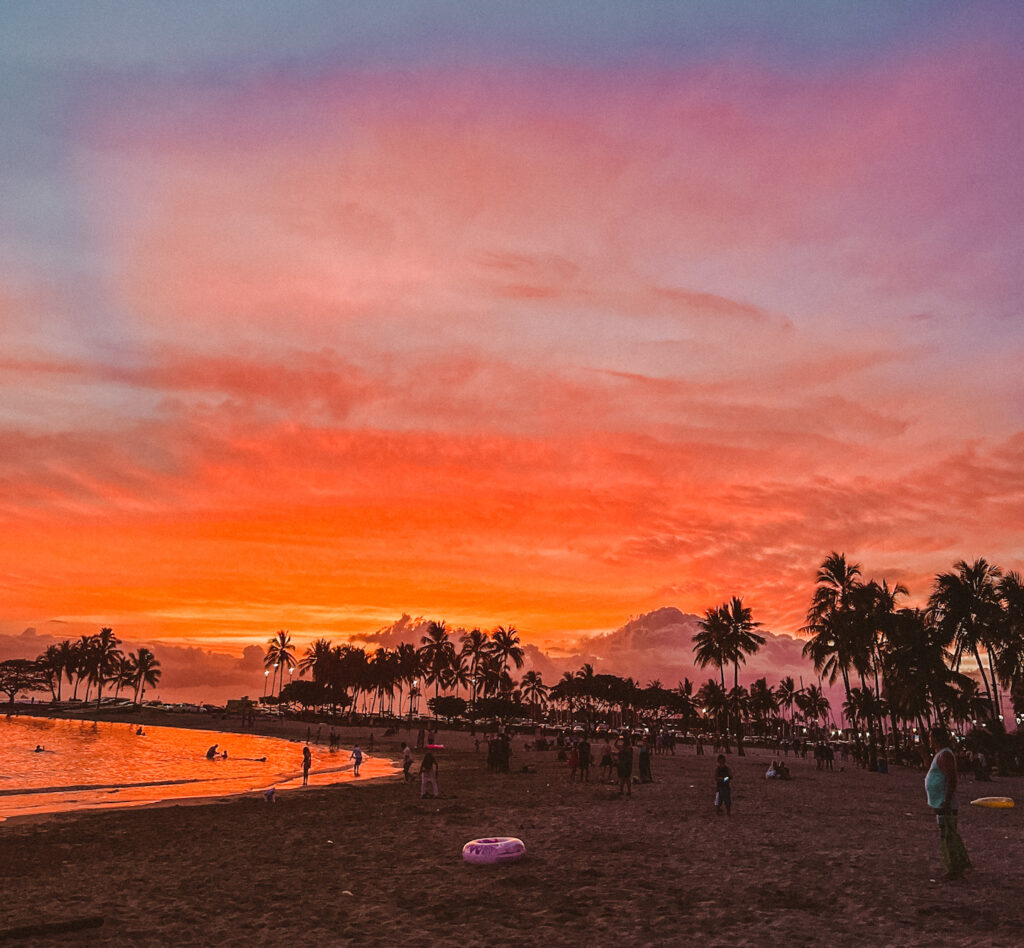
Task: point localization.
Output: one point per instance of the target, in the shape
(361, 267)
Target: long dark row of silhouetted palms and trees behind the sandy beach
(903, 669)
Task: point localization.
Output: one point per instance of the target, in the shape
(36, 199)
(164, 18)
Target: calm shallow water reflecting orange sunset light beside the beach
(88, 765)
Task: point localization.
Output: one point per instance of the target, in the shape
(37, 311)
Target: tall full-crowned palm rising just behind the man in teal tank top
(968, 611)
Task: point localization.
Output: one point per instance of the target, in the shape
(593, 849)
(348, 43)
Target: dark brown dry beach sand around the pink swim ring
(845, 858)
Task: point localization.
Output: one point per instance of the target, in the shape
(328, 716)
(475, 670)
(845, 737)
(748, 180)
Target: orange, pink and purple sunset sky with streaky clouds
(314, 316)
